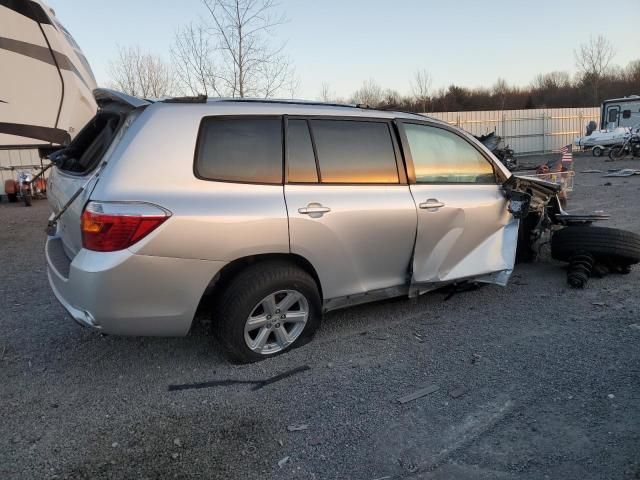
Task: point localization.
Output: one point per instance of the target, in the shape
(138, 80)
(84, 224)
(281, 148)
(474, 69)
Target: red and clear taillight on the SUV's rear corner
(111, 226)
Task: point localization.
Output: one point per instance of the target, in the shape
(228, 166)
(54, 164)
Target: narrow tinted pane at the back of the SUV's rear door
(301, 162)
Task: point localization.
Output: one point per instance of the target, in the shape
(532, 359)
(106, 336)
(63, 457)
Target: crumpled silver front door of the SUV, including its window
(464, 227)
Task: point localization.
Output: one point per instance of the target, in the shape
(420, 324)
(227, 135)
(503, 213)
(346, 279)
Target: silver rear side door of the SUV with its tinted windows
(351, 213)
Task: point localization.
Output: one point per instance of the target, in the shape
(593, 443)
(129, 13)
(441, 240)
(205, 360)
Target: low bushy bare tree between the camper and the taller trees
(141, 74)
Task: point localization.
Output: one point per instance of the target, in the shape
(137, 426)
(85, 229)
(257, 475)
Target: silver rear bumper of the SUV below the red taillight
(127, 294)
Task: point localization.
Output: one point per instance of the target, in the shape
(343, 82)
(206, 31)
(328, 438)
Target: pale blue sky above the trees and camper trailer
(344, 42)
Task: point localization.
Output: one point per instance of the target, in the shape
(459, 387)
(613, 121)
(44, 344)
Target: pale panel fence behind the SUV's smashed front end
(527, 131)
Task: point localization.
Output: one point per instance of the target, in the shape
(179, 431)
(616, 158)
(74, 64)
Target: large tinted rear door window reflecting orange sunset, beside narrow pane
(354, 152)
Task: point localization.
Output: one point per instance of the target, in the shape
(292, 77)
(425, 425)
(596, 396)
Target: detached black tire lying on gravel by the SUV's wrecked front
(607, 245)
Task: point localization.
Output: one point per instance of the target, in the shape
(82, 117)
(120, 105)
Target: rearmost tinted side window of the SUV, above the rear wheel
(240, 150)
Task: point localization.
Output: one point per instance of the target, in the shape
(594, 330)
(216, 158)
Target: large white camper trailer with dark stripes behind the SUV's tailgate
(46, 82)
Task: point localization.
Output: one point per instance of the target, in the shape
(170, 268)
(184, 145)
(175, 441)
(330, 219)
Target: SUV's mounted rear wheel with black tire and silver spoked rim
(244, 297)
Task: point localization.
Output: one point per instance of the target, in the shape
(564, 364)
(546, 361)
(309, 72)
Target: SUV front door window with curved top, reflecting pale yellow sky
(440, 156)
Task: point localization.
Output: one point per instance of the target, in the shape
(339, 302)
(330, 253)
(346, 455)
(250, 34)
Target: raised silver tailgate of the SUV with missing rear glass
(76, 164)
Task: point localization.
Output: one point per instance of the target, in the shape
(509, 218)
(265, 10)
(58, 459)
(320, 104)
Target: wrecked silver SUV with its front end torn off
(278, 211)
